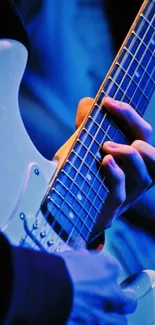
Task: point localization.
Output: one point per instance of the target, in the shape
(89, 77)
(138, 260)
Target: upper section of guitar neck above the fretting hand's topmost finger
(131, 77)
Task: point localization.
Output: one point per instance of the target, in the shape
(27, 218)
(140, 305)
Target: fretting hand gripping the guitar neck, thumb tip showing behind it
(136, 173)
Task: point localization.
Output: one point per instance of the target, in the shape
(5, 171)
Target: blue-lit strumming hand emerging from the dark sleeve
(97, 298)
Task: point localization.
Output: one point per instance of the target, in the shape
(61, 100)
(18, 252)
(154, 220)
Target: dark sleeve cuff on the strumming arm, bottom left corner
(37, 287)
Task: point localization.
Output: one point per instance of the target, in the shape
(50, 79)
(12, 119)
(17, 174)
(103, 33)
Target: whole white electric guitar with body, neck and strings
(53, 206)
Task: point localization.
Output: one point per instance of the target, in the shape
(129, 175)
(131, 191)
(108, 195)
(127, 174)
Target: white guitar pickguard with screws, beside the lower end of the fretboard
(27, 225)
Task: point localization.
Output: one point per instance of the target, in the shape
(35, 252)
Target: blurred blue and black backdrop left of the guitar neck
(73, 43)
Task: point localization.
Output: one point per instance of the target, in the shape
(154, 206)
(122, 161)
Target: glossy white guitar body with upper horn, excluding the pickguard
(17, 150)
